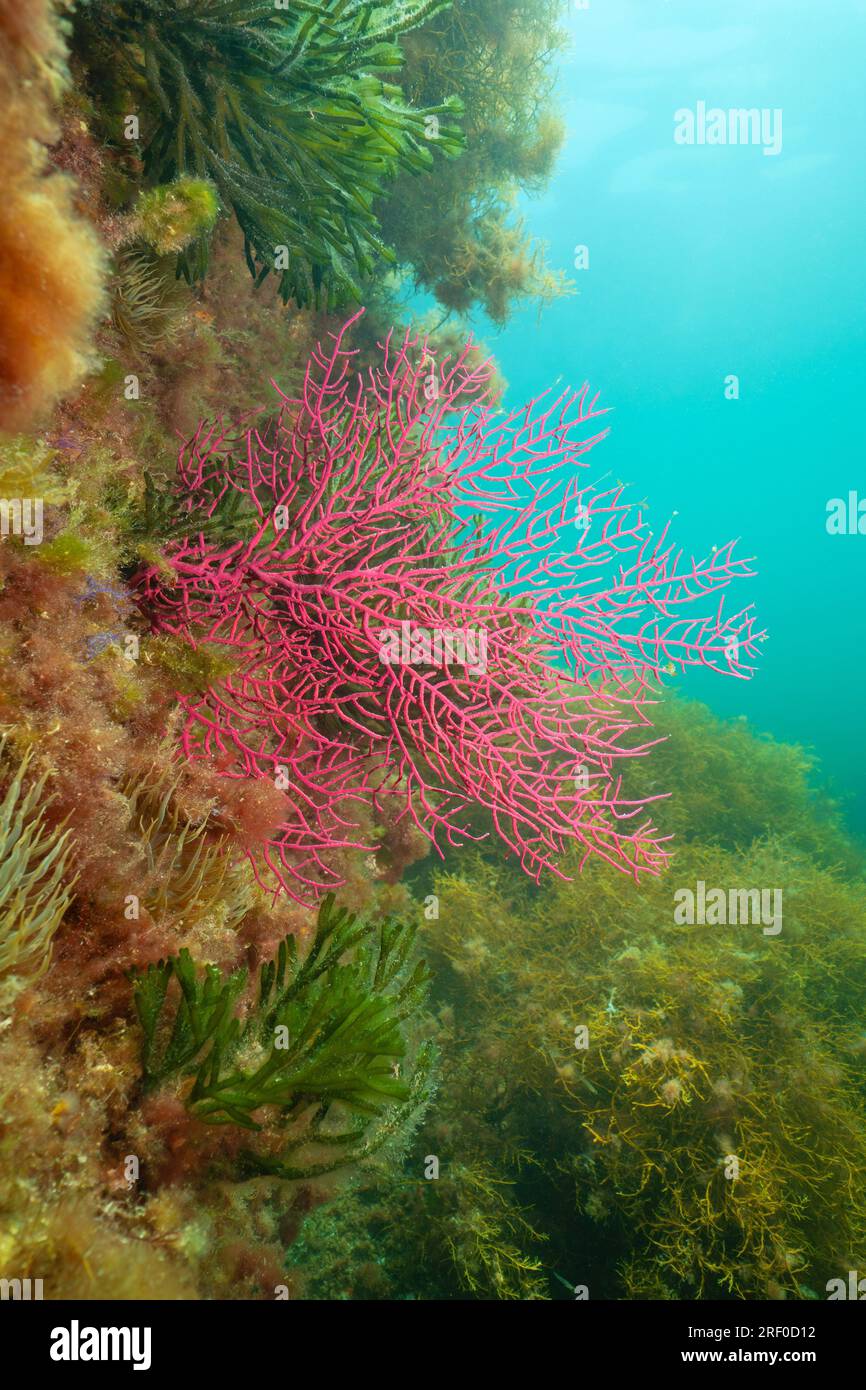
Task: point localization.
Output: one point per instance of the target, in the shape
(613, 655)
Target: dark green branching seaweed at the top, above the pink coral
(284, 109)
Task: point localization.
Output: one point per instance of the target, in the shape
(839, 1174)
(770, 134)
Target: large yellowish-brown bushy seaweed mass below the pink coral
(660, 1111)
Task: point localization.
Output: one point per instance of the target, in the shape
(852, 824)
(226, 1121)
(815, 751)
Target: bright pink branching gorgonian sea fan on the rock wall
(429, 610)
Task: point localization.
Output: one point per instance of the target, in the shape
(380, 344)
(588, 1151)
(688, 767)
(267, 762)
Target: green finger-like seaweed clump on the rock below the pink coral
(313, 1064)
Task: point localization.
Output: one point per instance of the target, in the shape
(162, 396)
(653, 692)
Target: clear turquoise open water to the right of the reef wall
(708, 262)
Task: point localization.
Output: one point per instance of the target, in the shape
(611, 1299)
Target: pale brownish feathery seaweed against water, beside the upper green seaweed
(457, 229)
